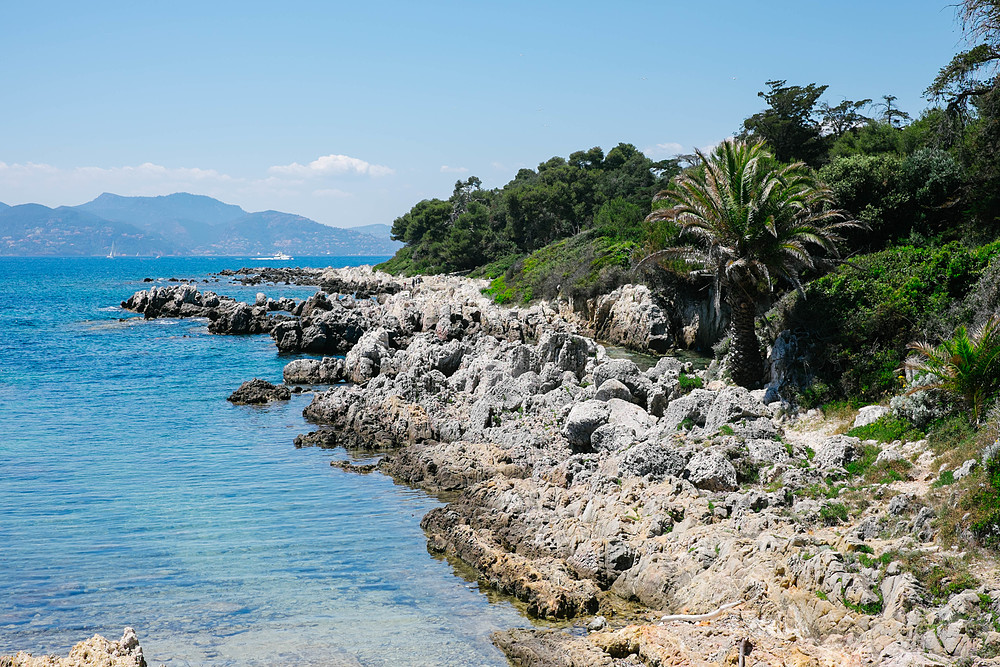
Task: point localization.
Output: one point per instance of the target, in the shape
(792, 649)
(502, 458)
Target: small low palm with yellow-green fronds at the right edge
(967, 365)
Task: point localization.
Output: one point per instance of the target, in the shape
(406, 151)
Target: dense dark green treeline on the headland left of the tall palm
(563, 197)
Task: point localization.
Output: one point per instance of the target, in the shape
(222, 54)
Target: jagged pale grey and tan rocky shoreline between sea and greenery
(670, 518)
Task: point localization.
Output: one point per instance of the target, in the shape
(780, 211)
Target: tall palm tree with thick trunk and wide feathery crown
(752, 220)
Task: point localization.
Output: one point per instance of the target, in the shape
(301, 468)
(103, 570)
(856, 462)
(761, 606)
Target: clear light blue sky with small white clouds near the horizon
(350, 114)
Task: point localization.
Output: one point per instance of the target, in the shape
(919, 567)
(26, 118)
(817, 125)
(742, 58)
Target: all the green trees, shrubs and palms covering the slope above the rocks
(869, 233)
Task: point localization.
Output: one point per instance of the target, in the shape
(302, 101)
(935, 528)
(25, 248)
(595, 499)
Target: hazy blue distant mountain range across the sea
(177, 224)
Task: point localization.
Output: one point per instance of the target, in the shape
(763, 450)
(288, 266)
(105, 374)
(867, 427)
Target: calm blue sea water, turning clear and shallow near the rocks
(133, 493)
